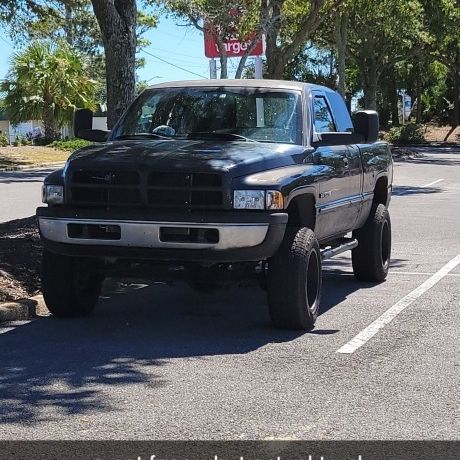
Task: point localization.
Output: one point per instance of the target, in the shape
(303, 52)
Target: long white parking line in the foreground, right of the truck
(366, 334)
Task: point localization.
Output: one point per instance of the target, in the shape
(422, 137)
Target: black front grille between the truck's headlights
(153, 189)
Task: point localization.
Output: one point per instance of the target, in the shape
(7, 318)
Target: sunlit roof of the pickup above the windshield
(249, 83)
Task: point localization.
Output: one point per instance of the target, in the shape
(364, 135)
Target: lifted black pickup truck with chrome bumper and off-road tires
(204, 181)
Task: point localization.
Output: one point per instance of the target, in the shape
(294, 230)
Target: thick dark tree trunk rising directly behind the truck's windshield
(117, 20)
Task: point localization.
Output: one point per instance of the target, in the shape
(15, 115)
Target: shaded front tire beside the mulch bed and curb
(70, 285)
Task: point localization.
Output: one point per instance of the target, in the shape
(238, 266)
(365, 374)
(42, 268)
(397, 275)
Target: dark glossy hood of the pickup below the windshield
(237, 158)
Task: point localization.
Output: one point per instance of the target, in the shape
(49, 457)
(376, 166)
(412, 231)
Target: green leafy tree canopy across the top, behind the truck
(368, 49)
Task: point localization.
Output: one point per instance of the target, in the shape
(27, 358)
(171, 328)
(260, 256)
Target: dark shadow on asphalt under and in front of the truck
(55, 368)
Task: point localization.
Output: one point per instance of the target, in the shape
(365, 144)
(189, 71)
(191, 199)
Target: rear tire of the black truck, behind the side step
(371, 258)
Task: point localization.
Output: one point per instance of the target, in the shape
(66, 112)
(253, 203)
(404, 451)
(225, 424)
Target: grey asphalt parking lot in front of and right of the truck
(160, 362)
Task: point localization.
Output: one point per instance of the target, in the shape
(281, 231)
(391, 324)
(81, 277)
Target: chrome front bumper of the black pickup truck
(147, 234)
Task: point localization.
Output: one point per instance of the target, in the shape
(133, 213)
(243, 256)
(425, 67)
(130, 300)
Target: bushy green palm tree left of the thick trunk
(47, 82)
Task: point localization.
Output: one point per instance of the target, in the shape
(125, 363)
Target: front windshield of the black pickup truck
(230, 114)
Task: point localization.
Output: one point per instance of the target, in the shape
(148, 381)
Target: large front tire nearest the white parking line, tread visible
(294, 281)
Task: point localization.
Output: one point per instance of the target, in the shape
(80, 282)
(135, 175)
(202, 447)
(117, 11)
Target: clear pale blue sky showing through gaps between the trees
(179, 45)
